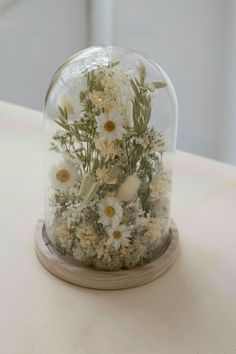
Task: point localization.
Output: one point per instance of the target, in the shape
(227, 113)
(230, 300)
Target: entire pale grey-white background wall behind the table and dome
(193, 40)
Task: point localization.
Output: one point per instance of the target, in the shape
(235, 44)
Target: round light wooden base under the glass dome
(68, 269)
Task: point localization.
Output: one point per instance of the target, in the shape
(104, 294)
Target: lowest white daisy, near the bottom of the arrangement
(118, 236)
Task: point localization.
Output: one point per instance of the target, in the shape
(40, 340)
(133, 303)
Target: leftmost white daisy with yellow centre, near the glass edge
(63, 175)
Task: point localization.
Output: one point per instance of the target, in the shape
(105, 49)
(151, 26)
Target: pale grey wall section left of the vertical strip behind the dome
(36, 36)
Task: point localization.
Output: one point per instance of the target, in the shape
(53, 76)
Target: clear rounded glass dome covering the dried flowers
(110, 133)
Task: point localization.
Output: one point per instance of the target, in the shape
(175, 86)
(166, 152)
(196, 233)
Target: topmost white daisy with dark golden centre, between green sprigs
(109, 126)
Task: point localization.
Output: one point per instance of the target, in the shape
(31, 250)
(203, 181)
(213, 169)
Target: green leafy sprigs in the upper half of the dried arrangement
(78, 136)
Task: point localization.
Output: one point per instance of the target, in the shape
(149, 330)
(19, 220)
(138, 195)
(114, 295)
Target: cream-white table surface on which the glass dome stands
(189, 310)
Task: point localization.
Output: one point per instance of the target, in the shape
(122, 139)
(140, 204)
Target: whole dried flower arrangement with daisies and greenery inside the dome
(110, 191)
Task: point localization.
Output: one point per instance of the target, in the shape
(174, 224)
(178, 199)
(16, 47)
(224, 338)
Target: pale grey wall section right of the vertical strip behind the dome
(188, 39)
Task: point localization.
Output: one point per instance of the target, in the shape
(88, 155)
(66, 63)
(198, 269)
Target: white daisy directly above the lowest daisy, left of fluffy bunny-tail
(110, 211)
